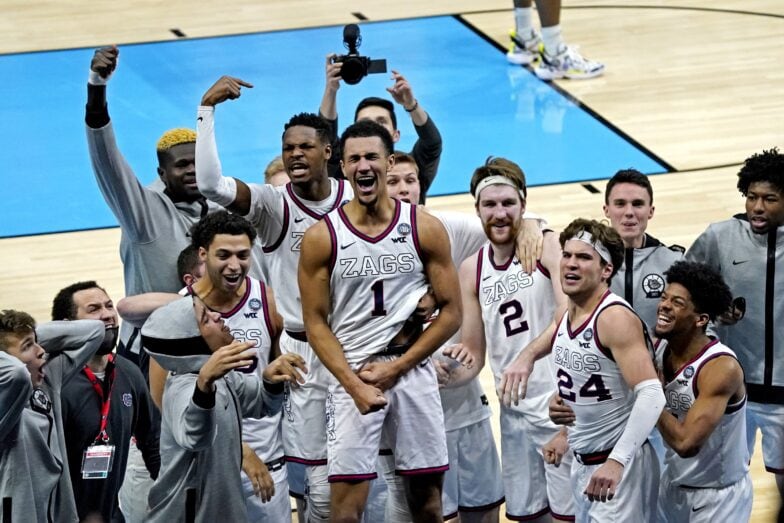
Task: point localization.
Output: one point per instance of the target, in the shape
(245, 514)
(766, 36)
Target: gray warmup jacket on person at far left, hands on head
(33, 467)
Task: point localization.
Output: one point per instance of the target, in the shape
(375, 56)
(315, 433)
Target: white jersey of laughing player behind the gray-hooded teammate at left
(250, 321)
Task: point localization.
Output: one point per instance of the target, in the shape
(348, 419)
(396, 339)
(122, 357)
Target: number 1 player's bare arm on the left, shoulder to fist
(313, 277)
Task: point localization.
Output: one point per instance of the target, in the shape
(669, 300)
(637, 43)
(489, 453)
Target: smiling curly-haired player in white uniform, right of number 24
(706, 475)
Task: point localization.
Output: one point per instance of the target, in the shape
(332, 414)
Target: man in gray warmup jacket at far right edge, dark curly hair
(748, 251)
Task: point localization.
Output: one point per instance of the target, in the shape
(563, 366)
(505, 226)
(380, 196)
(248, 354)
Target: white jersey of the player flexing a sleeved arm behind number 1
(281, 219)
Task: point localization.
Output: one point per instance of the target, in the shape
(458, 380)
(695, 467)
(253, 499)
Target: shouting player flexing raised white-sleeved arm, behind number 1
(281, 215)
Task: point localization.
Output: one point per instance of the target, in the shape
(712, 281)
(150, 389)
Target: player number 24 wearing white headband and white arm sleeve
(604, 371)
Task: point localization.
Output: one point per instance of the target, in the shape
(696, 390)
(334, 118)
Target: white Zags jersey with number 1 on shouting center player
(375, 282)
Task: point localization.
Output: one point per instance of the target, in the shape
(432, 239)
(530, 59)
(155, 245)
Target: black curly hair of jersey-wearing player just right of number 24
(709, 293)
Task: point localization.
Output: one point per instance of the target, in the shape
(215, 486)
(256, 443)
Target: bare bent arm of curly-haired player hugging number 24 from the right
(719, 382)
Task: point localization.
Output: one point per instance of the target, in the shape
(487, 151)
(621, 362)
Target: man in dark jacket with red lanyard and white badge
(105, 405)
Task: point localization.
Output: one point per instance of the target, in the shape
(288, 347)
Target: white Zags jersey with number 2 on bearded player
(516, 308)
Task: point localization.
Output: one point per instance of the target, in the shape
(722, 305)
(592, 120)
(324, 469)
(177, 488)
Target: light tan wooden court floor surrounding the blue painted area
(699, 83)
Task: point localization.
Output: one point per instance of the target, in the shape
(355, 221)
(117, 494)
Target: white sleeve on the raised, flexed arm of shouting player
(212, 184)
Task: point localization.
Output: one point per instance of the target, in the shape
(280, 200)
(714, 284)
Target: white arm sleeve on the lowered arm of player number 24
(648, 403)
